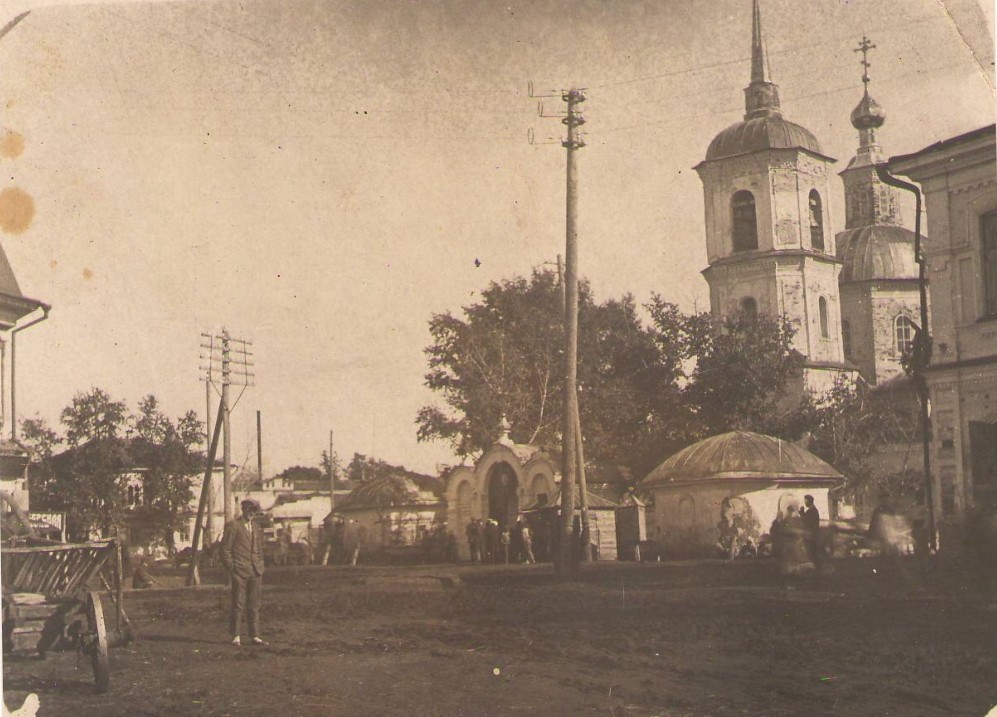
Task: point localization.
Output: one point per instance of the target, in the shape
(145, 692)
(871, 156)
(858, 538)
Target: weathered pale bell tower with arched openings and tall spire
(769, 242)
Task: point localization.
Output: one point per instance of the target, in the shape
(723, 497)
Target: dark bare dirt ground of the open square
(668, 639)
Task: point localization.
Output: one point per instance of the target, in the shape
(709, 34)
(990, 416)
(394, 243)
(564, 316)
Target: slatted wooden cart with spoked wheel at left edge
(52, 601)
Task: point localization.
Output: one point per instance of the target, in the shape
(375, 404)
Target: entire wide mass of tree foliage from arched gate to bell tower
(644, 391)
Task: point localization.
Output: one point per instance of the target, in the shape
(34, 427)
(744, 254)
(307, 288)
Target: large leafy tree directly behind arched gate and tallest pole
(504, 356)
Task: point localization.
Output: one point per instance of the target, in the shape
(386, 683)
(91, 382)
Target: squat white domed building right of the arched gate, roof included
(750, 474)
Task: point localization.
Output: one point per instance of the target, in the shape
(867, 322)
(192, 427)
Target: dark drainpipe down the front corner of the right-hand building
(922, 345)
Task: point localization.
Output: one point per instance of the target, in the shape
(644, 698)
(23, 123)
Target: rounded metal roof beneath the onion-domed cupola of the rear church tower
(876, 253)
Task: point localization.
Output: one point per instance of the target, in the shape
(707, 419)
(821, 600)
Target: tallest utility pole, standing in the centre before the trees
(567, 565)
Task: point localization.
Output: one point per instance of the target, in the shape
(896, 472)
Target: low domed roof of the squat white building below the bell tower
(741, 455)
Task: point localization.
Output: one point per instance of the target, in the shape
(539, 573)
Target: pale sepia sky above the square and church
(320, 178)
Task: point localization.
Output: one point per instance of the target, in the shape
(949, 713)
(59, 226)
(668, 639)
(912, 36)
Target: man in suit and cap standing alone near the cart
(242, 555)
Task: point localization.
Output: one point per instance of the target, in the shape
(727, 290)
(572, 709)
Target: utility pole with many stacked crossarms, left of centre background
(232, 359)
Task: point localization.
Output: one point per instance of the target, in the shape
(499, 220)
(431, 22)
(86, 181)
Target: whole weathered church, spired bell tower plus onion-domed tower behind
(852, 296)
